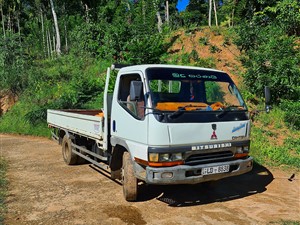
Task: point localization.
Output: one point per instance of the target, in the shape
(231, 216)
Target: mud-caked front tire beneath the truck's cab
(130, 183)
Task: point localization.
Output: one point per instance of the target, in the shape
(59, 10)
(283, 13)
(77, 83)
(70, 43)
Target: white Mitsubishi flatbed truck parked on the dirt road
(163, 125)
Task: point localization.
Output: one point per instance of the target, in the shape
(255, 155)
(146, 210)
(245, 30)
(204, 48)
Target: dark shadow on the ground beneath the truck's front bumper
(223, 190)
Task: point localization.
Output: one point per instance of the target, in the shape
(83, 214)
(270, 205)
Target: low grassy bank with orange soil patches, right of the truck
(272, 143)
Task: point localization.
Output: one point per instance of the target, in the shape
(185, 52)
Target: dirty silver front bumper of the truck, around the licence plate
(184, 174)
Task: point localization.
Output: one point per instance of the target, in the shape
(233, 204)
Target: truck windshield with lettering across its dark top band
(191, 89)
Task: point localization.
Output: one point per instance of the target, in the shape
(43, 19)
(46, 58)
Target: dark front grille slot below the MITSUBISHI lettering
(209, 158)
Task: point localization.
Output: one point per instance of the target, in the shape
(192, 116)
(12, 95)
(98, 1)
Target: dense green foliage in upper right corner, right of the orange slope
(270, 42)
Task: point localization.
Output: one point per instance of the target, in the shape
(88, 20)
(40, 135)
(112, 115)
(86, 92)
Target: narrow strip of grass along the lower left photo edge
(3, 189)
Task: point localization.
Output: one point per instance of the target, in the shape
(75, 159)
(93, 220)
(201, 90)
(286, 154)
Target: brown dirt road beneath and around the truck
(43, 190)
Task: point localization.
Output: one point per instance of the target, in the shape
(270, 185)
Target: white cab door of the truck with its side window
(128, 122)
